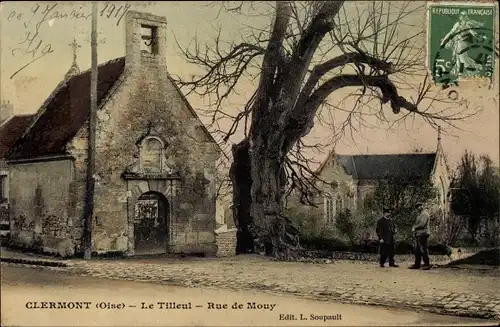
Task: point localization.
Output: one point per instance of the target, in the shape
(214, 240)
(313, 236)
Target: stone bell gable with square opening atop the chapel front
(146, 42)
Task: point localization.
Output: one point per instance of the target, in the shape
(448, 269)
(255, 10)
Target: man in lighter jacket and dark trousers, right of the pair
(421, 232)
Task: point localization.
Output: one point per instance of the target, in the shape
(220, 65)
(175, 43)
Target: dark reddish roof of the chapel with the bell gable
(66, 111)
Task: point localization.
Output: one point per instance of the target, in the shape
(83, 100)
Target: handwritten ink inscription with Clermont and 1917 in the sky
(32, 45)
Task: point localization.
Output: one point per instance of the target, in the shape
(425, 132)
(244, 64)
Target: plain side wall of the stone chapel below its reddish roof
(39, 198)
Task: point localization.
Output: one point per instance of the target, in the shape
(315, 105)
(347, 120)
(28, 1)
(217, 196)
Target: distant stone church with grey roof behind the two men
(346, 180)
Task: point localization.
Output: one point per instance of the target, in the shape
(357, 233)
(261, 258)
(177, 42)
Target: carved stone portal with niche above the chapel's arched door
(151, 184)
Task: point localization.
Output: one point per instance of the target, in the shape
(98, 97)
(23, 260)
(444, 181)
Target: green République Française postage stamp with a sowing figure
(461, 42)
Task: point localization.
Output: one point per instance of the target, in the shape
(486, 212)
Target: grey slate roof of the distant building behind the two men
(382, 166)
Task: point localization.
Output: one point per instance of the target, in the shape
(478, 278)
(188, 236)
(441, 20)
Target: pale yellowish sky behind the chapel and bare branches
(51, 36)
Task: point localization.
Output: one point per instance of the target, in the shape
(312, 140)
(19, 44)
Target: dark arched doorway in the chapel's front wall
(151, 224)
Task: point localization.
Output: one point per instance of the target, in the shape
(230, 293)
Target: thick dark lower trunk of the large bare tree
(258, 188)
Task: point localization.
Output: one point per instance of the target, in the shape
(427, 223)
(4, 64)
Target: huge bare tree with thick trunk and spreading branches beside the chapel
(308, 51)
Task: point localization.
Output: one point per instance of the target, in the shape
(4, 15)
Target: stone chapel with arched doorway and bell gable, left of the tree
(155, 161)
